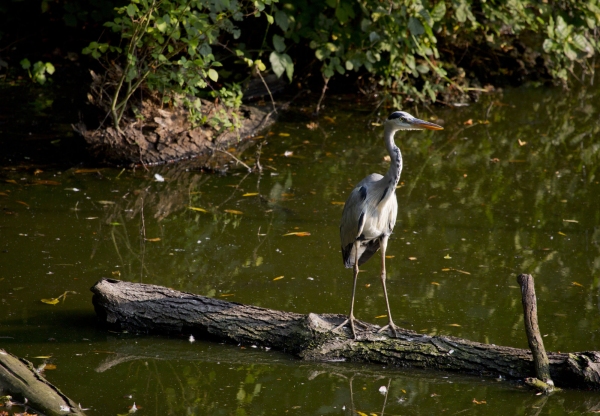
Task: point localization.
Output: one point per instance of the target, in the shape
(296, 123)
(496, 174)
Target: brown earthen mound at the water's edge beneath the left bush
(155, 133)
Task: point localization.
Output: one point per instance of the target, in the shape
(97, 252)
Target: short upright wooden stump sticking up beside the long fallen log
(534, 338)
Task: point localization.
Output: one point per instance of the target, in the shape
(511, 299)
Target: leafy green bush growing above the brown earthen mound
(167, 46)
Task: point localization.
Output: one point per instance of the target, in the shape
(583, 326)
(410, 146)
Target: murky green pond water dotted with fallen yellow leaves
(510, 186)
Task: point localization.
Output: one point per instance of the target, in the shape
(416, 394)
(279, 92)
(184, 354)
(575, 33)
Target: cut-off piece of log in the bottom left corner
(19, 379)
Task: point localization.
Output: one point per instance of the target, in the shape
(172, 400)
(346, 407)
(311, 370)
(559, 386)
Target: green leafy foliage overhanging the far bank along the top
(410, 49)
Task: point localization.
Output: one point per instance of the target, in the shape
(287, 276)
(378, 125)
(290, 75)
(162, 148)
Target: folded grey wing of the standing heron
(353, 220)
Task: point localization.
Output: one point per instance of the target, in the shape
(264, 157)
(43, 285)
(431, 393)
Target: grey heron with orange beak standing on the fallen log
(370, 211)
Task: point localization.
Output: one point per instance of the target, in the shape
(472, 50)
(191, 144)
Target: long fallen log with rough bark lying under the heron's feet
(156, 309)
